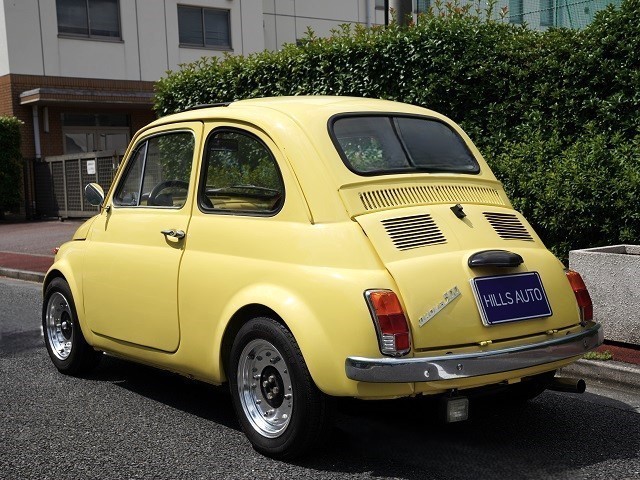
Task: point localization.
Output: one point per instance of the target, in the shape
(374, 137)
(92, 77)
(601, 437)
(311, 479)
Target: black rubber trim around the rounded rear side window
(203, 178)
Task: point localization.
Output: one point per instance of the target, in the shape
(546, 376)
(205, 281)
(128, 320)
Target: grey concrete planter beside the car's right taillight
(612, 275)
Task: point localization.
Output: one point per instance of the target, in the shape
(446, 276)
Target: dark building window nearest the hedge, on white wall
(204, 27)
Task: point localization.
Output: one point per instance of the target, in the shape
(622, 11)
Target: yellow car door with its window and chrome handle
(137, 242)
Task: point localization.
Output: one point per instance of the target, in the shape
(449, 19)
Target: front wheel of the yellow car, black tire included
(63, 337)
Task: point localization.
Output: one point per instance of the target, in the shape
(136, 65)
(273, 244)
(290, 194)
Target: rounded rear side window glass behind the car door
(240, 175)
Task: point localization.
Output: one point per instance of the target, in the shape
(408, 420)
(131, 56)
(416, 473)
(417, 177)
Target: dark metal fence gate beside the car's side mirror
(60, 181)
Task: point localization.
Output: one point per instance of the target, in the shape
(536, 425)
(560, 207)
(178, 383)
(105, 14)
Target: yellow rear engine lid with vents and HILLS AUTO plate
(427, 249)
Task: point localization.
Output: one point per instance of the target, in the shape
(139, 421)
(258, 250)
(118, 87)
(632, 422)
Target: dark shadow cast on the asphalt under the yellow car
(555, 435)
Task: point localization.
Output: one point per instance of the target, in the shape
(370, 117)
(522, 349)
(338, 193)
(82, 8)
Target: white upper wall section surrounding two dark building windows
(149, 45)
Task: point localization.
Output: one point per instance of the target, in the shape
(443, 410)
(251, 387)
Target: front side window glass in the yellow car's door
(158, 172)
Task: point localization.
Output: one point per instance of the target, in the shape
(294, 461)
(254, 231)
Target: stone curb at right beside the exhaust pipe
(624, 376)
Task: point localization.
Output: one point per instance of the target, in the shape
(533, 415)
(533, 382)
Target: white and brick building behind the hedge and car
(80, 73)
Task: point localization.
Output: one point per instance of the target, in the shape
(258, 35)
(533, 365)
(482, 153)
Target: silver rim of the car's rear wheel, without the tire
(264, 388)
